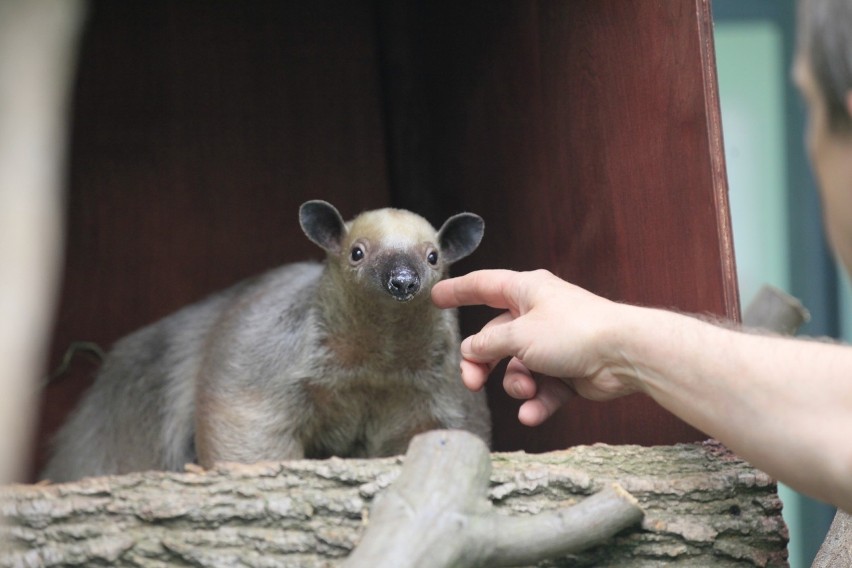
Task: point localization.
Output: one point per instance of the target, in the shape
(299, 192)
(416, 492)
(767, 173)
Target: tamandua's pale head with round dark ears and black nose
(392, 252)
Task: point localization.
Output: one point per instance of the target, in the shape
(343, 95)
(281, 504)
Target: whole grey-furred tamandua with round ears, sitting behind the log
(347, 358)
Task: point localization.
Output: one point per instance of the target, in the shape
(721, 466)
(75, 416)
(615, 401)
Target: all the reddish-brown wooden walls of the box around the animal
(585, 132)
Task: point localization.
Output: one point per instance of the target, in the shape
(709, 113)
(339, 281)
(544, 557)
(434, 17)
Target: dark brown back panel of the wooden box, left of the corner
(199, 128)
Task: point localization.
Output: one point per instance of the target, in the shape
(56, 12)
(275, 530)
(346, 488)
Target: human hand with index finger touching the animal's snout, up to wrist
(562, 339)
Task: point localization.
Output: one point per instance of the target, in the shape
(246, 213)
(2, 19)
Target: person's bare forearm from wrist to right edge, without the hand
(785, 405)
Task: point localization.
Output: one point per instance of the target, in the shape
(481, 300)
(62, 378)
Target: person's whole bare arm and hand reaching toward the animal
(783, 404)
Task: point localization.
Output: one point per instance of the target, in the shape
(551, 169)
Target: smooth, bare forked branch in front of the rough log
(437, 513)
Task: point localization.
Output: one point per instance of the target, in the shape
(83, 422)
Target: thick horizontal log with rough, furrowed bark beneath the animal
(702, 505)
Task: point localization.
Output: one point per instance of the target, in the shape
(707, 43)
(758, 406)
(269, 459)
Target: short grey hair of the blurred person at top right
(825, 39)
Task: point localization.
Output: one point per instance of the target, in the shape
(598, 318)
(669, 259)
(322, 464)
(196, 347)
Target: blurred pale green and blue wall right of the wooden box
(775, 224)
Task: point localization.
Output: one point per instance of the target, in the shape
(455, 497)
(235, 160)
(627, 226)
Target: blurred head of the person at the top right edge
(823, 73)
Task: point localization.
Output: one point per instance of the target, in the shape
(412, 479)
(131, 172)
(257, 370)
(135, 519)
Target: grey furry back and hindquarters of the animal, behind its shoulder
(139, 413)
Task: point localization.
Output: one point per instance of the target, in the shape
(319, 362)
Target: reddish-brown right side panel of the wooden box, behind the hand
(587, 134)
